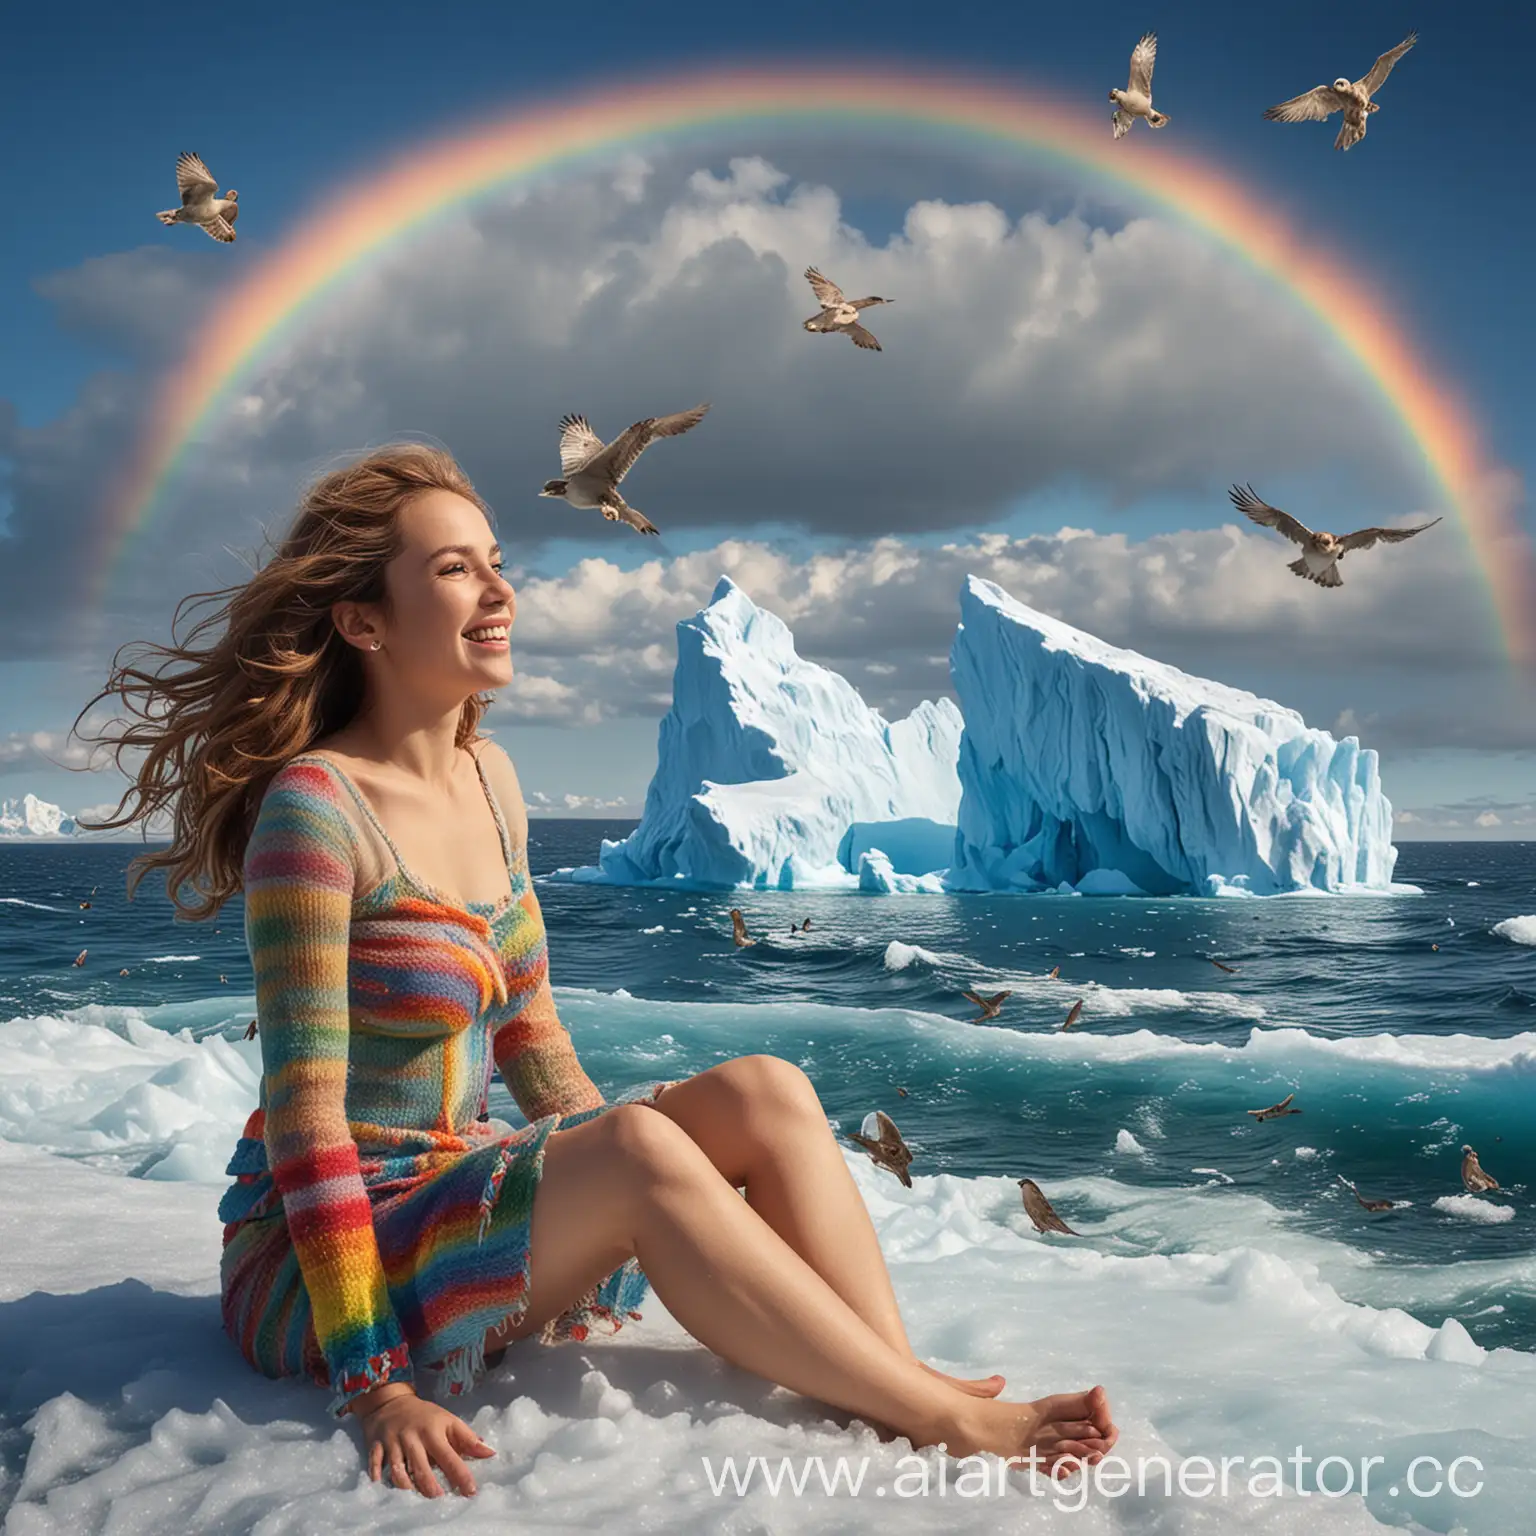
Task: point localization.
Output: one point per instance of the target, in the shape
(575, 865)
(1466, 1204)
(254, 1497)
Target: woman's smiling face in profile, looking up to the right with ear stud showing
(443, 589)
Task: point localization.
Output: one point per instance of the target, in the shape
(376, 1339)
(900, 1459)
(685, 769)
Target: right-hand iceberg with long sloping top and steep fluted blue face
(1102, 770)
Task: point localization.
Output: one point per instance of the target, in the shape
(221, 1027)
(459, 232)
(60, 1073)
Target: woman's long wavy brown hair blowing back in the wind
(263, 677)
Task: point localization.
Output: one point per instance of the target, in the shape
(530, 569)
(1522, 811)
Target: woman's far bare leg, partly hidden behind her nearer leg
(761, 1124)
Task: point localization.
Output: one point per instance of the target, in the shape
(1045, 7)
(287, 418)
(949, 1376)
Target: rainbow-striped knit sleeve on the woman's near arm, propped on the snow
(299, 879)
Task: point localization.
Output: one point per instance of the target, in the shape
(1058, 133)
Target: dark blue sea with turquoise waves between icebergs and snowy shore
(1403, 1025)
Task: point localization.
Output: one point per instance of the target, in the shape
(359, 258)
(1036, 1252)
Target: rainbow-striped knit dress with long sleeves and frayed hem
(377, 1220)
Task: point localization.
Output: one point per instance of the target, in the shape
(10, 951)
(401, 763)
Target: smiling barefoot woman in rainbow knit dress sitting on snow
(322, 753)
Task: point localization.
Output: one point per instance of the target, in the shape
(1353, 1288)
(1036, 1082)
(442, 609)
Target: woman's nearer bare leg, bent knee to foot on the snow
(634, 1183)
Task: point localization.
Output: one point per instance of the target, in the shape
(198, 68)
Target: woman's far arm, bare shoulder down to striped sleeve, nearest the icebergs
(534, 1050)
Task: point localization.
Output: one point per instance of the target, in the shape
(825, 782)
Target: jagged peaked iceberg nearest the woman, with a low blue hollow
(772, 772)
